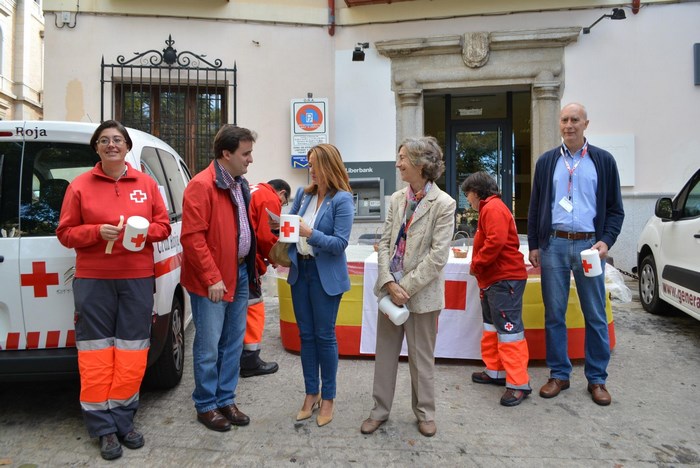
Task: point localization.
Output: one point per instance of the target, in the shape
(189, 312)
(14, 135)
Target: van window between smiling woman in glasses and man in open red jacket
(164, 168)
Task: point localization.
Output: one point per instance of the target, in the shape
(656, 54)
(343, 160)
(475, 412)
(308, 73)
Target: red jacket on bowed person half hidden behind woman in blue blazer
(263, 196)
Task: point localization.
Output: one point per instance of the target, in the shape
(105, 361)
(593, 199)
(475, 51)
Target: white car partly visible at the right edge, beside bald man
(668, 253)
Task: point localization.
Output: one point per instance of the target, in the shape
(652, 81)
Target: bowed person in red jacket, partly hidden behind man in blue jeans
(263, 197)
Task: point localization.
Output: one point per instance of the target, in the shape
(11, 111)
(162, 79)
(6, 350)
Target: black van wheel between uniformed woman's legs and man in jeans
(166, 372)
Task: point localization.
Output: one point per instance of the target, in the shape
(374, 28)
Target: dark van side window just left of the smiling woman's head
(47, 170)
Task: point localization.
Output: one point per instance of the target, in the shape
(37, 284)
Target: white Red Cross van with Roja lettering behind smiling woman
(37, 162)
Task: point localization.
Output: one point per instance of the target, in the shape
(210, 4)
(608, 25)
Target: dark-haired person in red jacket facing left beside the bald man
(499, 267)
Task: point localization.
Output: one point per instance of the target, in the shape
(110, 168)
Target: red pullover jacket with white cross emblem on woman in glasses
(94, 199)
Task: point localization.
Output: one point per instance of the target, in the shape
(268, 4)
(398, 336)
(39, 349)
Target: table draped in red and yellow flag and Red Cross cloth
(460, 324)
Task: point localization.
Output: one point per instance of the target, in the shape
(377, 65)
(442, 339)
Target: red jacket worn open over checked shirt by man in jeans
(210, 235)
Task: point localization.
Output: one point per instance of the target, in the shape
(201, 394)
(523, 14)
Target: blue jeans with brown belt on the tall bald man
(558, 260)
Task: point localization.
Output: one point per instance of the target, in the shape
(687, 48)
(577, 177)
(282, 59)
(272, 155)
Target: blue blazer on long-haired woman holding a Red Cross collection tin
(330, 236)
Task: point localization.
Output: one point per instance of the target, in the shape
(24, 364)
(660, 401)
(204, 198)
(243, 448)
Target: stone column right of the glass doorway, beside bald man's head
(546, 103)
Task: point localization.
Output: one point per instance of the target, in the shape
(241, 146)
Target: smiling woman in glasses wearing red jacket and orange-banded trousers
(113, 287)
